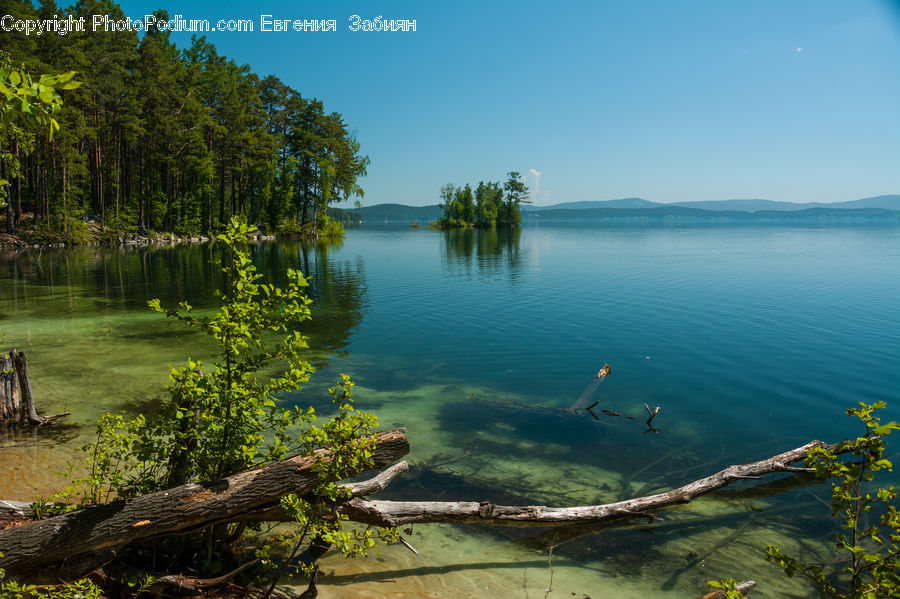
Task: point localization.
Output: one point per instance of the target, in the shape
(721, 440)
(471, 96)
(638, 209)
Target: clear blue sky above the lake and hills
(794, 100)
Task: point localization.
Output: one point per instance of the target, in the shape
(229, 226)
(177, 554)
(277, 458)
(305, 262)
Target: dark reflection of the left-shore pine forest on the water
(85, 281)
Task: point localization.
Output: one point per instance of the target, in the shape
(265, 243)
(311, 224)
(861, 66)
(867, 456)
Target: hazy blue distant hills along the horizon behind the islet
(885, 207)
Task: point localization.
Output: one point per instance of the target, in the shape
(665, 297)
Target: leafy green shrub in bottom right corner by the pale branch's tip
(871, 549)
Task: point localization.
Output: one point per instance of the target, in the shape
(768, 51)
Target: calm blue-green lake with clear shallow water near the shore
(751, 339)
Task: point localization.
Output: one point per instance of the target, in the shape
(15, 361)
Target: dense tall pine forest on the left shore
(158, 138)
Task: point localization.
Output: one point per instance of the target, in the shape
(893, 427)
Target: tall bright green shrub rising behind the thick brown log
(224, 418)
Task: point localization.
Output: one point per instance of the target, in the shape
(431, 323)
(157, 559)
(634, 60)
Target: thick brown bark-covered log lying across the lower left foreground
(36, 544)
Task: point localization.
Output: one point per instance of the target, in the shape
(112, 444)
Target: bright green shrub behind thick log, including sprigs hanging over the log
(224, 417)
